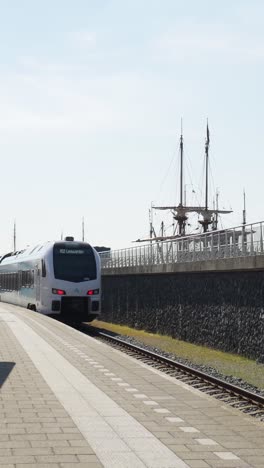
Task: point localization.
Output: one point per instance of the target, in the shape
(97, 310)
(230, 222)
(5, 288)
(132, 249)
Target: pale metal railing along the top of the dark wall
(240, 241)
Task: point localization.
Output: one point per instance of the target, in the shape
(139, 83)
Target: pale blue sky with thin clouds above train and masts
(92, 94)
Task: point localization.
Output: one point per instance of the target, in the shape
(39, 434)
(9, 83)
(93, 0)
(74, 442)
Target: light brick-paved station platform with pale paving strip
(68, 400)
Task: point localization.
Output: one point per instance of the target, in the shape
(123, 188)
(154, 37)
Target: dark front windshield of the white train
(74, 262)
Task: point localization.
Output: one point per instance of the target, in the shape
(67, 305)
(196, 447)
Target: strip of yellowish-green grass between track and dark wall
(225, 363)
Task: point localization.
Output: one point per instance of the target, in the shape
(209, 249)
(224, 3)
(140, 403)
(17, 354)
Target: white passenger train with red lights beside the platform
(57, 278)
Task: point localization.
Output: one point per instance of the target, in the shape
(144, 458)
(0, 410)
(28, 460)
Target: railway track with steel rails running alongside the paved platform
(237, 397)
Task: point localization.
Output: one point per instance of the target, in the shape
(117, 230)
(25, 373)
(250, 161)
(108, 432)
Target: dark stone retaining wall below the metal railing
(221, 309)
